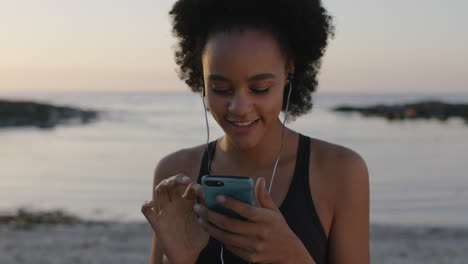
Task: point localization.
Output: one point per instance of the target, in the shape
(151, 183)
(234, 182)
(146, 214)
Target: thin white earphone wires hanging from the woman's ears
(290, 78)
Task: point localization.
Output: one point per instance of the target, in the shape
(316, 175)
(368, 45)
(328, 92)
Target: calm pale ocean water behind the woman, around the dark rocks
(104, 170)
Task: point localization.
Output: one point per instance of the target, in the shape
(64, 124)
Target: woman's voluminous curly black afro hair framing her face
(302, 27)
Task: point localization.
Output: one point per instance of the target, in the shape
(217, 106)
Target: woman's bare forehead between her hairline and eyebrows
(248, 50)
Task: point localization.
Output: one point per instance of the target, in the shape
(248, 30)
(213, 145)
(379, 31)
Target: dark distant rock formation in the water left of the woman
(24, 113)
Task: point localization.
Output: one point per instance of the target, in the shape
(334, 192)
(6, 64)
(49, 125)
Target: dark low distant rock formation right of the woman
(422, 110)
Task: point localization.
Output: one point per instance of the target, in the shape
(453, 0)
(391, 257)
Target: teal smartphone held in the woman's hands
(239, 188)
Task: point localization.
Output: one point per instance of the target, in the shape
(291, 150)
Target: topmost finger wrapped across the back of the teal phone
(245, 210)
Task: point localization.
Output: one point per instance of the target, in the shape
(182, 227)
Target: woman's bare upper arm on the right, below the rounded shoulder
(349, 236)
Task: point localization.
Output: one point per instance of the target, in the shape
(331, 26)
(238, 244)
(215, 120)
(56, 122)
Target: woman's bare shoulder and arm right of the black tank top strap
(345, 176)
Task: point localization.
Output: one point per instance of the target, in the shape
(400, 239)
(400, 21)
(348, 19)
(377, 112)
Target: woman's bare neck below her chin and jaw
(263, 154)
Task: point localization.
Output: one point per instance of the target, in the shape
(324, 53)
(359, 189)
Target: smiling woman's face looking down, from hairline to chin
(244, 74)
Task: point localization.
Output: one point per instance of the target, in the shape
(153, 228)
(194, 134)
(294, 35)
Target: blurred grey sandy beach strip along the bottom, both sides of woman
(112, 242)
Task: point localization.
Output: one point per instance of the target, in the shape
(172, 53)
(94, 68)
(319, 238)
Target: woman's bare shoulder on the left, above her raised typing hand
(185, 161)
